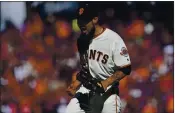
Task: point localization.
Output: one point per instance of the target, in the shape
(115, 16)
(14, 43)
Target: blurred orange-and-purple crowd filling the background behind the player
(39, 61)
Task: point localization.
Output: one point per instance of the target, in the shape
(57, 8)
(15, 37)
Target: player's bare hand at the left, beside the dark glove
(73, 87)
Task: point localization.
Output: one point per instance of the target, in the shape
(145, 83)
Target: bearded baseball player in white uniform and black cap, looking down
(104, 62)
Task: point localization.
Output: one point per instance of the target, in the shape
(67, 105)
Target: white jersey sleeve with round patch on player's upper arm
(120, 54)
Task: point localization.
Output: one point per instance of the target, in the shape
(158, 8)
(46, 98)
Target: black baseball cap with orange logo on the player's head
(87, 12)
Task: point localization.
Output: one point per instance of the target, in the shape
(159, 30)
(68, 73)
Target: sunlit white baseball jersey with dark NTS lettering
(107, 52)
